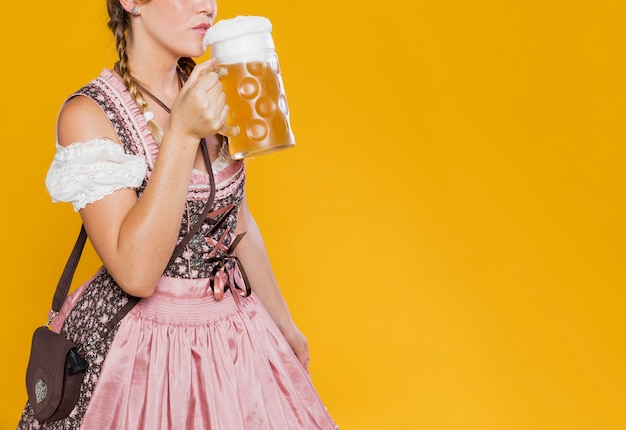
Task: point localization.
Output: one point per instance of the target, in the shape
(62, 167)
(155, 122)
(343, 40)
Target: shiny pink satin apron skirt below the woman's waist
(182, 360)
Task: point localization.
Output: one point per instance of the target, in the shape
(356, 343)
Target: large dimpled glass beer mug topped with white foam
(246, 60)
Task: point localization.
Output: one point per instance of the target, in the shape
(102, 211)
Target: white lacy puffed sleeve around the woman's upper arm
(85, 172)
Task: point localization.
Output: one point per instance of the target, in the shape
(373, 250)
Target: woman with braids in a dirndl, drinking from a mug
(199, 350)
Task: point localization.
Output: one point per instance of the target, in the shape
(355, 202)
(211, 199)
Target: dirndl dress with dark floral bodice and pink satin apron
(182, 359)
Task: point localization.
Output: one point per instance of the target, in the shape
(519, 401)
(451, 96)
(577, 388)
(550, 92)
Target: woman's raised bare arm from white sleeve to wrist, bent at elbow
(146, 234)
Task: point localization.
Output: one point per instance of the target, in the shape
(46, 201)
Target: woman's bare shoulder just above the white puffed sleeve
(82, 120)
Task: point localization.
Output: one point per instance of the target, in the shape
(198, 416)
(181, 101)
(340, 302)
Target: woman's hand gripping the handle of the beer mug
(200, 109)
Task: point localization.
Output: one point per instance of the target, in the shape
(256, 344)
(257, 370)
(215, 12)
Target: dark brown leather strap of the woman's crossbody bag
(65, 281)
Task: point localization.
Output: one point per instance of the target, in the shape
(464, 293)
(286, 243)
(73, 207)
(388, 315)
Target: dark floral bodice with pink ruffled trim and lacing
(198, 259)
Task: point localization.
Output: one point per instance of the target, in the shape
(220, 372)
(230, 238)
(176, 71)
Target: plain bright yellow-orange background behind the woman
(448, 230)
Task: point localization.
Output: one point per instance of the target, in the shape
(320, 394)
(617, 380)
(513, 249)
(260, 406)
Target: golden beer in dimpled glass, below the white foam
(258, 113)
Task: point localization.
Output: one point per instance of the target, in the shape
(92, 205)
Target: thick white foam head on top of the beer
(243, 38)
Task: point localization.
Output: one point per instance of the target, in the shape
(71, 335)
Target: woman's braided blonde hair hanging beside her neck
(119, 24)
